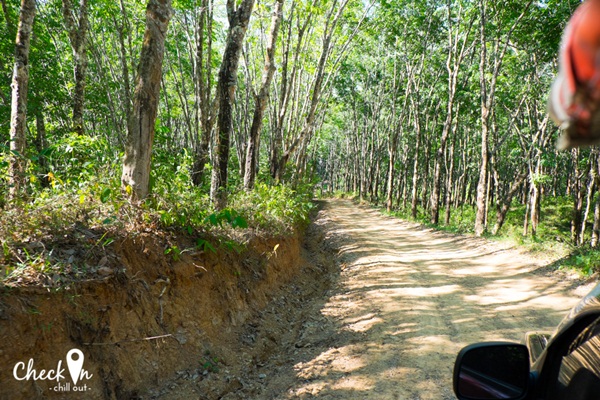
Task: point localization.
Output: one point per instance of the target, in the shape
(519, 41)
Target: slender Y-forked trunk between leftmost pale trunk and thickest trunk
(78, 38)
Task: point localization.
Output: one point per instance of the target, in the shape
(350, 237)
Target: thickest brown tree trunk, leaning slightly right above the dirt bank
(138, 148)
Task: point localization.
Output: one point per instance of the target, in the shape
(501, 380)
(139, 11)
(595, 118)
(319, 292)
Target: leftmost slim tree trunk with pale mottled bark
(18, 115)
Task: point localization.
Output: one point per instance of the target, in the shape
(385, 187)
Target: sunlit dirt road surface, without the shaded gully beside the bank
(406, 301)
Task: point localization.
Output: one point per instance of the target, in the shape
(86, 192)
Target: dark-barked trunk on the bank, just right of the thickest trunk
(238, 24)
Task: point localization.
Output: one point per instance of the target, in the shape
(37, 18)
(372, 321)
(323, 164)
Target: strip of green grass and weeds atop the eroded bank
(64, 232)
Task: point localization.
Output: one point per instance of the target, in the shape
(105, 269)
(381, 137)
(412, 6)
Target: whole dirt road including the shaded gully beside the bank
(379, 310)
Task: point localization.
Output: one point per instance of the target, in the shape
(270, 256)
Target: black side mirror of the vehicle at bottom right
(492, 371)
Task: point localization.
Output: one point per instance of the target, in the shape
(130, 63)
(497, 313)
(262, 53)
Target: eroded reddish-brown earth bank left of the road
(155, 317)
